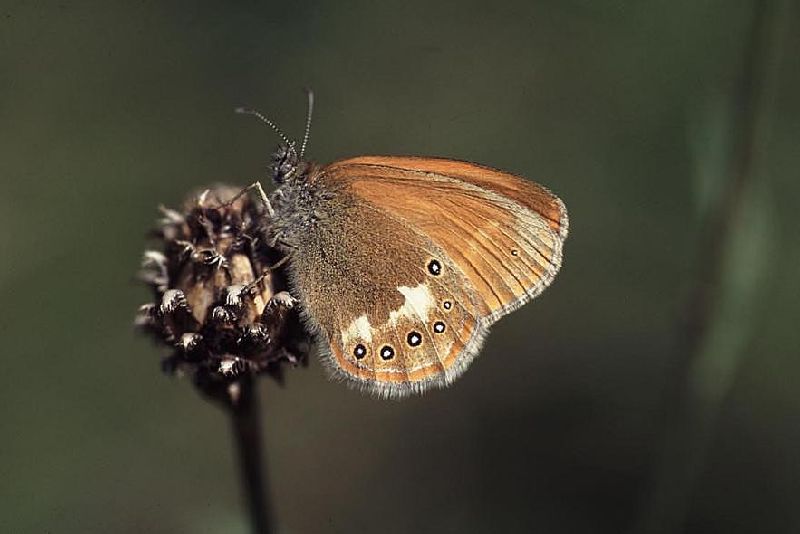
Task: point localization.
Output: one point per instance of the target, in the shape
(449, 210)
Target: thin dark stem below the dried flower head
(246, 427)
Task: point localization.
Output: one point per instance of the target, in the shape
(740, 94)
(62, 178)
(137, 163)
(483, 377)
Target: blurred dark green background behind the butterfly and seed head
(567, 421)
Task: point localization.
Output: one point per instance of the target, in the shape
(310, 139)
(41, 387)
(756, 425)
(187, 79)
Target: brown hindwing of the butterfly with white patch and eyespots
(392, 312)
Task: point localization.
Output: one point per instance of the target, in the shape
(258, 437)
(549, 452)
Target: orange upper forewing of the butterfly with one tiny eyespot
(486, 221)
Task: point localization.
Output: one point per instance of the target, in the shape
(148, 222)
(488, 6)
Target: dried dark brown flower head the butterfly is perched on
(218, 304)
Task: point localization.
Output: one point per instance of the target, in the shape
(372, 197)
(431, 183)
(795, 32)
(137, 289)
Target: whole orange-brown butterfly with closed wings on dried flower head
(401, 264)
